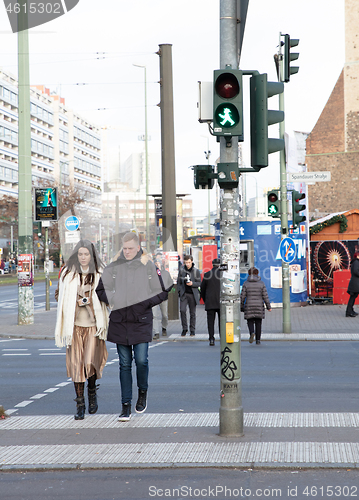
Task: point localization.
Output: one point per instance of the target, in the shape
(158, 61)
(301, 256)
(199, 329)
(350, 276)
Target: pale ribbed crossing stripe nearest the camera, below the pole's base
(195, 453)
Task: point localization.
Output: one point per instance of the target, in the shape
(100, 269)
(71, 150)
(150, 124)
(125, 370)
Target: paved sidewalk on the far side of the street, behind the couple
(311, 322)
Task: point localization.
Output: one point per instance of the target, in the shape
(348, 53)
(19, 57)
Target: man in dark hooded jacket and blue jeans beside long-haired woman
(131, 285)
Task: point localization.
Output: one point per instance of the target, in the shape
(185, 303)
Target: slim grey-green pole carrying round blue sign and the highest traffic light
(284, 212)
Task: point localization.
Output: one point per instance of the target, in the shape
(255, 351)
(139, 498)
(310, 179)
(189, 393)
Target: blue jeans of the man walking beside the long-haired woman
(140, 352)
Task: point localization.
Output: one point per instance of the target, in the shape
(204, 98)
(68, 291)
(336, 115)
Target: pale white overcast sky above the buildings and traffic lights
(88, 56)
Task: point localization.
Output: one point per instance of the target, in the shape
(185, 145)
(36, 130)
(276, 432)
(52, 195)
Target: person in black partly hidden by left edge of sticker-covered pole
(210, 293)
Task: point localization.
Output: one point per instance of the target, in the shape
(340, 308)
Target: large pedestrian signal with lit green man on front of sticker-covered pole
(228, 103)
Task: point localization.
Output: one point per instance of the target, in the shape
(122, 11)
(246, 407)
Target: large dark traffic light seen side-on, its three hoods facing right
(261, 145)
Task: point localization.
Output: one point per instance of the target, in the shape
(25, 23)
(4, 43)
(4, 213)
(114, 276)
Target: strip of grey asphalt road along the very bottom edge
(139, 484)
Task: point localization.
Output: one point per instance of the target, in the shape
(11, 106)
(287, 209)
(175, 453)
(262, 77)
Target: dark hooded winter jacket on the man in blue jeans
(132, 288)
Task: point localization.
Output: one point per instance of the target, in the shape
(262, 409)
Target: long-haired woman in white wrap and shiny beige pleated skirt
(82, 322)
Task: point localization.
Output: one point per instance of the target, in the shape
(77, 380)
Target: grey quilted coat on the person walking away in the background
(253, 297)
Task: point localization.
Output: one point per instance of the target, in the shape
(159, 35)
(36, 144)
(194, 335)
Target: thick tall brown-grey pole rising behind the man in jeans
(169, 222)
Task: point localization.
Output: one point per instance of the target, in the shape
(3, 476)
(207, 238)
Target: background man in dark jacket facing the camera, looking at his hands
(189, 280)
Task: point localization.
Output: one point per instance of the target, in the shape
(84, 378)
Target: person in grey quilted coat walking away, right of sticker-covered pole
(254, 296)
